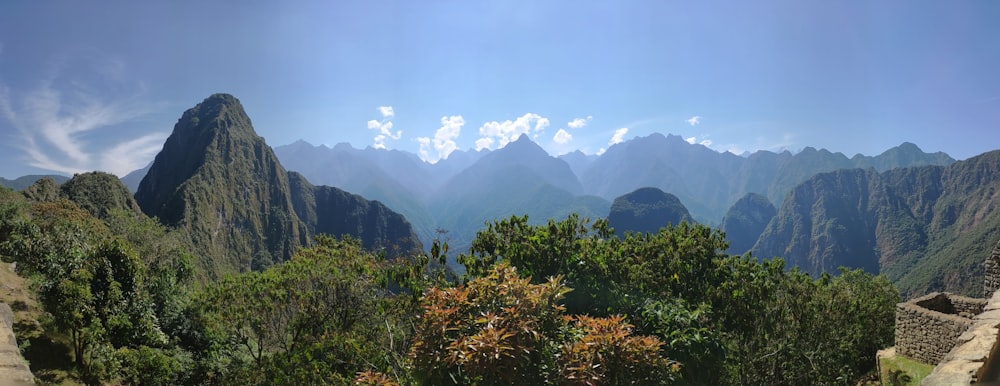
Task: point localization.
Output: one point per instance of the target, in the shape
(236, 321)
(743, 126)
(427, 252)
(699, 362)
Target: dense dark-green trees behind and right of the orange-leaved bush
(728, 319)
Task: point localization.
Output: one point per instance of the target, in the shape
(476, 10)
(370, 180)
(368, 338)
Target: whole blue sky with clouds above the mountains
(86, 87)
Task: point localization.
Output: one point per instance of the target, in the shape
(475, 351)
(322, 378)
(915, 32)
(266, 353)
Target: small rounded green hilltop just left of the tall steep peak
(99, 193)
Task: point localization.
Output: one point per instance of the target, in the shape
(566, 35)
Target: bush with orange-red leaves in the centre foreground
(500, 329)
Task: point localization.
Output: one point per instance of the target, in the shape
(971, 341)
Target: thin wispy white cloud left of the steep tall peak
(67, 128)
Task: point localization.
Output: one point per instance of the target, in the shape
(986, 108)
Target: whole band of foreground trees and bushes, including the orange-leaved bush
(566, 302)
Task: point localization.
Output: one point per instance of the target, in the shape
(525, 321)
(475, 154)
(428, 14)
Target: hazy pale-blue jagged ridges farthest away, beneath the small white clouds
(706, 181)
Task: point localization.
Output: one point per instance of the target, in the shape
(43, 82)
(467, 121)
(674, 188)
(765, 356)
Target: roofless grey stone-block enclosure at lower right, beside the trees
(927, 327)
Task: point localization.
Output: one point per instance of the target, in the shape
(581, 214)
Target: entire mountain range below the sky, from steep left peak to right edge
(921, 218)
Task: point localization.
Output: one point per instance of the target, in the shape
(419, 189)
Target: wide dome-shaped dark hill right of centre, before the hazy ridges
(646, 210)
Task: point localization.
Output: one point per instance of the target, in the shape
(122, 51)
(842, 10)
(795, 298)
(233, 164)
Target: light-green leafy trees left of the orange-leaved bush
(321, 317)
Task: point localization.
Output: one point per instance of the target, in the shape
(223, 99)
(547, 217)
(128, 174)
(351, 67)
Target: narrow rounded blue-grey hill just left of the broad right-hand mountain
(746, 220)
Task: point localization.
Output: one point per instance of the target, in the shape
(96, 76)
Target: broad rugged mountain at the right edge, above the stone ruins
(927, 228)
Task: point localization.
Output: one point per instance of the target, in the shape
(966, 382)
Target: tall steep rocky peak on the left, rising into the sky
(219, 181)
